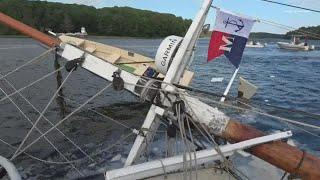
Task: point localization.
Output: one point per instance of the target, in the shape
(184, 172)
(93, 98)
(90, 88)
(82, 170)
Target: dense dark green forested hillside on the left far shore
(108, 21)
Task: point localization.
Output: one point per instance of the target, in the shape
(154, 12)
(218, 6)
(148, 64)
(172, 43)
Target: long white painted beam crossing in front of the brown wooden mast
(173, 164)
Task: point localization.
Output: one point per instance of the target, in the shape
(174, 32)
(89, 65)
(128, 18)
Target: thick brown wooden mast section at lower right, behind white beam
(278, 153)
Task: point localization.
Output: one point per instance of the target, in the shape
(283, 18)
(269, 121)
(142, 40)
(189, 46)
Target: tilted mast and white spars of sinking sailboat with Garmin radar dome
(162, 81)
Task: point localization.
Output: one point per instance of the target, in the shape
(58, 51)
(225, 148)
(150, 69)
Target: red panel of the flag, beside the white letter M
(215, 43)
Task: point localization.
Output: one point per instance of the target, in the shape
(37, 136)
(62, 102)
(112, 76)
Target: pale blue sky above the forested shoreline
(253, 8)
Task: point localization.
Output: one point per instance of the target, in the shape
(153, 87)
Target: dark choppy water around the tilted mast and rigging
(285, 78)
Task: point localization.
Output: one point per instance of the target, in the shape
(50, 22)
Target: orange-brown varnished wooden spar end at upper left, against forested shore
(28, 31)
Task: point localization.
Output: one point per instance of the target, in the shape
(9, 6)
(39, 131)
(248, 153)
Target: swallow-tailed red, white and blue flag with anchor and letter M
(229, 37)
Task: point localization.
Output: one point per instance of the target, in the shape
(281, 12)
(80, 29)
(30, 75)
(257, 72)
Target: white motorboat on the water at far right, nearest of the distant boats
(296, 45)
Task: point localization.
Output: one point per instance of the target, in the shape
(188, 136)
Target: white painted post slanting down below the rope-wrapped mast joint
(149, 127)
